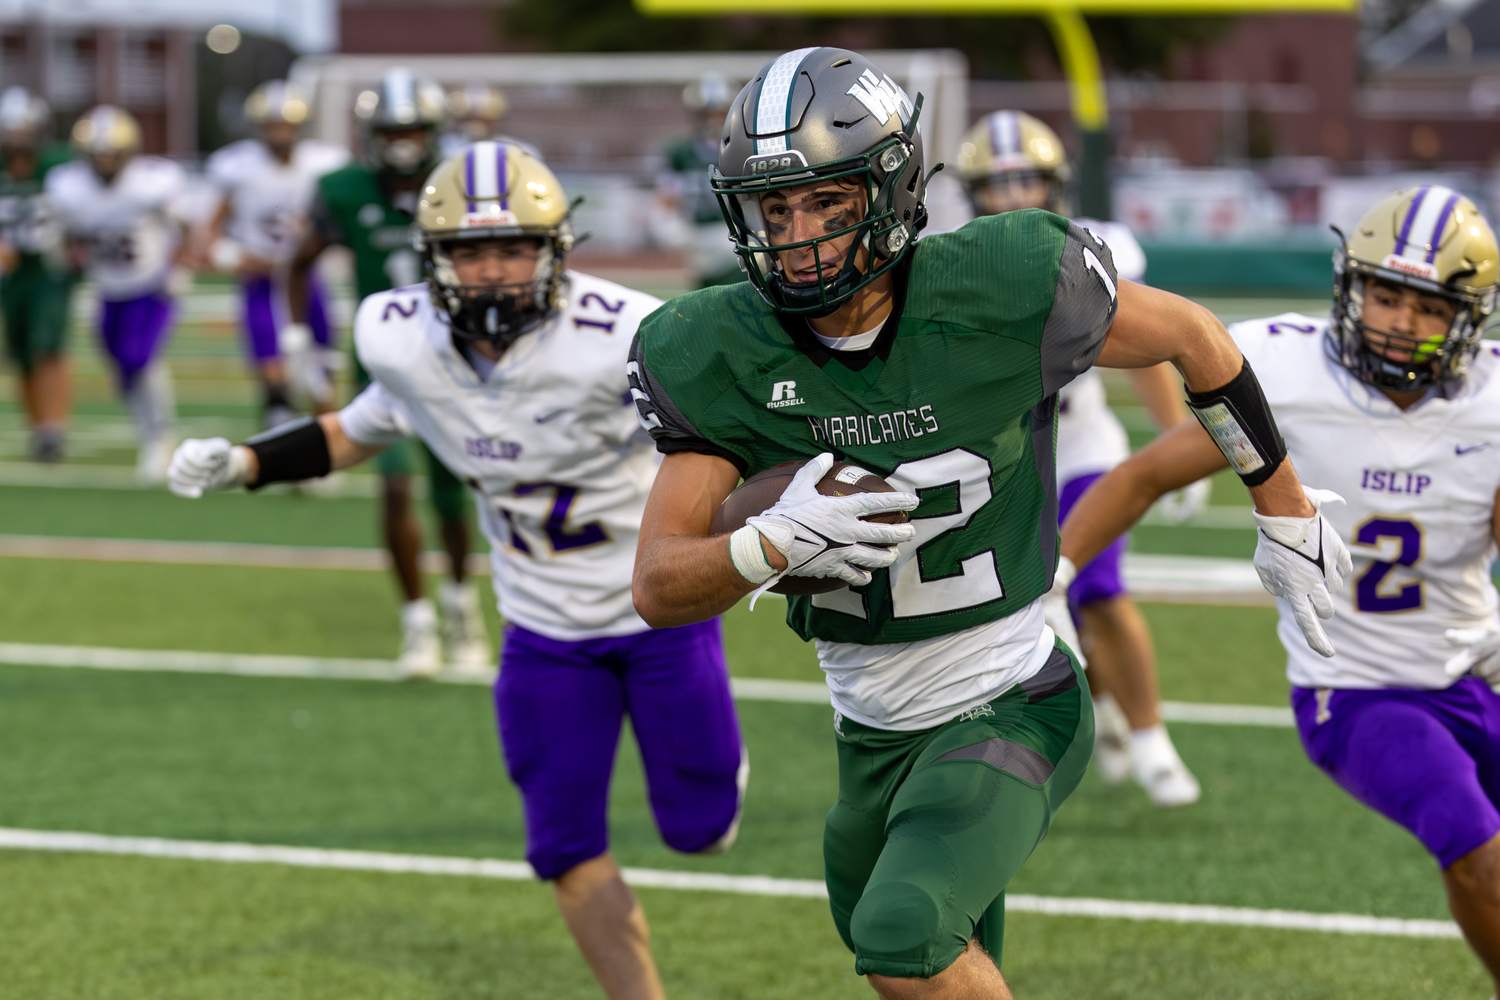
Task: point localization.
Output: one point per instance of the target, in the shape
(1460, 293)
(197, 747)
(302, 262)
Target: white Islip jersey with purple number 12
(550, 442)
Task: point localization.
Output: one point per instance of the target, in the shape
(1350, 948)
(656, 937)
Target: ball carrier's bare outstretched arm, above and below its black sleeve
(1154, 326)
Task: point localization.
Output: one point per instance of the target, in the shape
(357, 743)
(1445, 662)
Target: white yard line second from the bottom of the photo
(344, 669)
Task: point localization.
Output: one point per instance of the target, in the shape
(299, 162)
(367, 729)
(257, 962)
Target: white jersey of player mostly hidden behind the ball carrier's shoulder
(1090, 437)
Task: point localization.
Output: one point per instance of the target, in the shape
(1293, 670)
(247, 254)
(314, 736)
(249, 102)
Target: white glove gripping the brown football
(823, 536)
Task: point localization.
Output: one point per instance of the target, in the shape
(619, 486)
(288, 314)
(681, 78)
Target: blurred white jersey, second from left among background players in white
(268, 199)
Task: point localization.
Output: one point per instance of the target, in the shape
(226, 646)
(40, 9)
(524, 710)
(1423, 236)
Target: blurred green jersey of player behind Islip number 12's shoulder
(353, 209)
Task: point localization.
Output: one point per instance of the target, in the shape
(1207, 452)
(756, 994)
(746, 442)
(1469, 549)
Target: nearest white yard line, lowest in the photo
(700, 882)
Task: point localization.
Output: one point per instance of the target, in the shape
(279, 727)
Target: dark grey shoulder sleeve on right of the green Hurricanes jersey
(1082, 310)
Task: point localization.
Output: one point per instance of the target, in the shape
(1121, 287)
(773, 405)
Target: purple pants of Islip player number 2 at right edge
(1429, 761)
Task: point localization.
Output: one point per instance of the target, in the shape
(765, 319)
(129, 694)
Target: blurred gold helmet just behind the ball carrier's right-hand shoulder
(1009, 152)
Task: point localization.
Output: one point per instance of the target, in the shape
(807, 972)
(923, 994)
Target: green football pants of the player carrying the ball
(932, 825)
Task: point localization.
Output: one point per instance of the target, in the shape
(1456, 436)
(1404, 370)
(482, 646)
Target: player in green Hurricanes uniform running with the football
(961, 719)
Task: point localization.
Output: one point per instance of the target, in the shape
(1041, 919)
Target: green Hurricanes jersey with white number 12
(956, 403)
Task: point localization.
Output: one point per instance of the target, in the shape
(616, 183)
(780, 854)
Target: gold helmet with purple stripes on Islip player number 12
(494, 191)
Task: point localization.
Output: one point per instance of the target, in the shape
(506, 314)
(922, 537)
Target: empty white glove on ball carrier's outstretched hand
(1303, 561)
